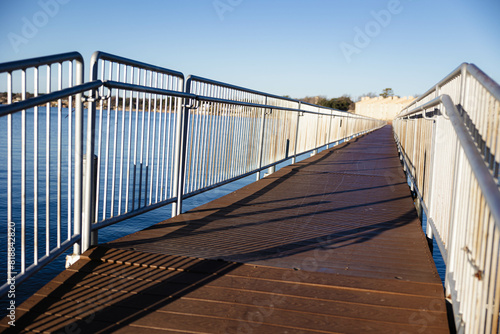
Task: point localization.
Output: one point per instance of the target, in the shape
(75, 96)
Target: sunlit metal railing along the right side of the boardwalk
(448, 141)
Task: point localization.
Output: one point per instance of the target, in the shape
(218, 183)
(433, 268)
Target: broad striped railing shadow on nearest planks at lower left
(100, 312)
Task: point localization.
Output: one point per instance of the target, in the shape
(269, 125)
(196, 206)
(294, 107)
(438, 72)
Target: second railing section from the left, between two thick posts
(136, 120)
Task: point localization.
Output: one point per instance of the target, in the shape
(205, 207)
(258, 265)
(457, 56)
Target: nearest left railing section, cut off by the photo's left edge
(43, 145)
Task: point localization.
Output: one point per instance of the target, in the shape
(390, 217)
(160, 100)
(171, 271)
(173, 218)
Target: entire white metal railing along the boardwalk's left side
(151, 138)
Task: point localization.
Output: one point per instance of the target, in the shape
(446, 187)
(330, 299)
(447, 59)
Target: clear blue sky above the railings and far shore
(293, 47)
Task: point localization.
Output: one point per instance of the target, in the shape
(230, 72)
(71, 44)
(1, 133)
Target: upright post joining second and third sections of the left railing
(180, 150)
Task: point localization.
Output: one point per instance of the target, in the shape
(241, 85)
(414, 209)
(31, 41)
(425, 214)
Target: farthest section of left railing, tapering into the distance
(233, 132)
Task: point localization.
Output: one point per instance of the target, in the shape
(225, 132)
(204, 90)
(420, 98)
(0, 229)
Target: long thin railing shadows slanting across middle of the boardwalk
(193, 227)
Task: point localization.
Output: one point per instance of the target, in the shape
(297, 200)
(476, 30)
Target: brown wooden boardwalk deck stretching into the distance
(328, 245)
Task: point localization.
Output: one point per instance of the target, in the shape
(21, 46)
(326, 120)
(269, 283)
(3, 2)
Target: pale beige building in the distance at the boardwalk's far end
(382, 108)
